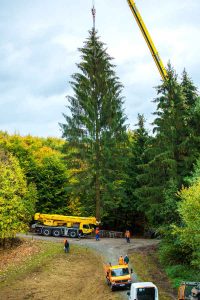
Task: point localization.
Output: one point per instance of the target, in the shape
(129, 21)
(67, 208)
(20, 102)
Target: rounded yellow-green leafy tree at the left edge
(14, 212)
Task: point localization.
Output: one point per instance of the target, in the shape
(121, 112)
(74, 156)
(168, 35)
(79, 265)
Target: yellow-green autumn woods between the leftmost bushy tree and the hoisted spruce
(42, 162)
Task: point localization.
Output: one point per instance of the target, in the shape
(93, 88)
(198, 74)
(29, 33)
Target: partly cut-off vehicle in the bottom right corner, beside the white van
(189, 291)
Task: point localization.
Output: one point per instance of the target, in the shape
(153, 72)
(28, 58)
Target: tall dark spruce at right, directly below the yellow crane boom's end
(162, 174)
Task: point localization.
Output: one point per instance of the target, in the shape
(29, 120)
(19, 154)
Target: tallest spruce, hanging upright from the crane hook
(96, 130)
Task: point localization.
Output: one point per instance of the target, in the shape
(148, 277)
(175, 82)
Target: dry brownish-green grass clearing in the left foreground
(49, 273)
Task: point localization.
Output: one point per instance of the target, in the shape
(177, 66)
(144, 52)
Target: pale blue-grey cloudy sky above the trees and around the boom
(38, 54)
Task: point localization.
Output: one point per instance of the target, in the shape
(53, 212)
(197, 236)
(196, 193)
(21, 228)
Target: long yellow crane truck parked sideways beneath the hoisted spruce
(60, 225)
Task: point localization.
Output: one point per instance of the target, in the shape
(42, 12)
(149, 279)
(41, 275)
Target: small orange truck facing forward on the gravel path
(118, 276)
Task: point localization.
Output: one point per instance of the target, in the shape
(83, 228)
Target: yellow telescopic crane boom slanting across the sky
(148, 39)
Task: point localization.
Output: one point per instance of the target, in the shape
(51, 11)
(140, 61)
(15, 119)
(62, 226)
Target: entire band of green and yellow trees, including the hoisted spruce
(147, 182)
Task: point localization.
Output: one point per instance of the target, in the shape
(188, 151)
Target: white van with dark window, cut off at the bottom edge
(143, 291)
